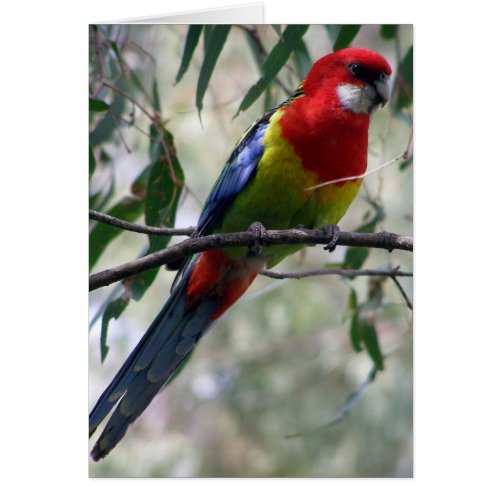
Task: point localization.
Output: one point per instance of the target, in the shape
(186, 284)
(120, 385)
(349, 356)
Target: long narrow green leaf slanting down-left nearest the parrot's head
(292, 36)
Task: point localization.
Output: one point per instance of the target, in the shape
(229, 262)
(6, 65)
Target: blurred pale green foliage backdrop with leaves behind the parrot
(278, 387)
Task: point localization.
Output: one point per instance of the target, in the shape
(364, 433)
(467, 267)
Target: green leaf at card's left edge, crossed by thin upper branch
(101, 235)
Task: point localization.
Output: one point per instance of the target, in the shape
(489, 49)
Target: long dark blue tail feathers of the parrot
(165, 345)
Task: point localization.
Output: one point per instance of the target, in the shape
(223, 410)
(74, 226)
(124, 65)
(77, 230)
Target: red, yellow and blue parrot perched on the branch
(319, 134)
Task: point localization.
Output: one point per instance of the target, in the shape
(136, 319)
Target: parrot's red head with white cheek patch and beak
(357, 78)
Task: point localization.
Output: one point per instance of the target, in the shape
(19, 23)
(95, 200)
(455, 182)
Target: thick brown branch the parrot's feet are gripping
(191, 246)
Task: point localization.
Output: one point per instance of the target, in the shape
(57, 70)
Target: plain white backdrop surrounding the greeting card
(44, 132)
